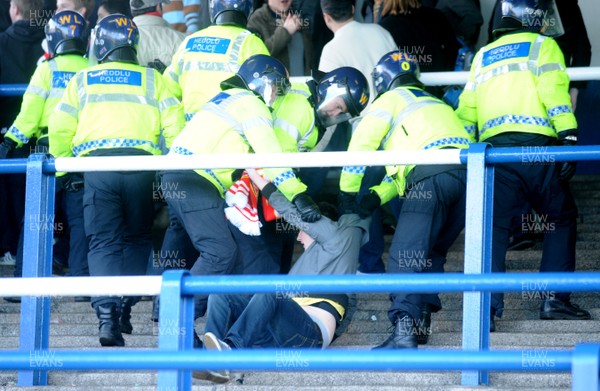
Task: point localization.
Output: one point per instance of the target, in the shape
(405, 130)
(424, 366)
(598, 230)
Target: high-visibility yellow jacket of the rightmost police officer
(517, 84)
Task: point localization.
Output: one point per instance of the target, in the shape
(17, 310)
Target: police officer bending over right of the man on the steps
(404, 117)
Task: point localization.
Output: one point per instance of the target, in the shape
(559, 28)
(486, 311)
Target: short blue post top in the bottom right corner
(585, 372)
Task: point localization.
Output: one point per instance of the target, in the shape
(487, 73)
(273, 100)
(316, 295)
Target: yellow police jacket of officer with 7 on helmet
(114, 105)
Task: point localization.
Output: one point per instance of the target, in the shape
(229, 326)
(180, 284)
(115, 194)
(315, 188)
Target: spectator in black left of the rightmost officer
(422, 32)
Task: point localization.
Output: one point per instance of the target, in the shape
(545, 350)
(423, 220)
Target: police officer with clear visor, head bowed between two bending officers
(300, 118)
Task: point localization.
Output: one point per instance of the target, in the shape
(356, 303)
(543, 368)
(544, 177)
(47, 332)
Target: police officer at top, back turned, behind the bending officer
(213, 54)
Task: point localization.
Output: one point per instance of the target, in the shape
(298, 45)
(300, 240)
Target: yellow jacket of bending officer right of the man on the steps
(405, 118)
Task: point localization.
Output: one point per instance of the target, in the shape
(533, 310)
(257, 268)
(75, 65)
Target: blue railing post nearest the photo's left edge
(38, 230)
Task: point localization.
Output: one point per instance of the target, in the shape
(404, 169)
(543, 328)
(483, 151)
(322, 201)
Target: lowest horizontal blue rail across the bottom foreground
(292, 359)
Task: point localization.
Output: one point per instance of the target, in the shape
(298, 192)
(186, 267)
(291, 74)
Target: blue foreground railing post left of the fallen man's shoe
(175, 328)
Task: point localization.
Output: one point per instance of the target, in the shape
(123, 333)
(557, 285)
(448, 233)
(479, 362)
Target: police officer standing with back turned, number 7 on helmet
(115, 108)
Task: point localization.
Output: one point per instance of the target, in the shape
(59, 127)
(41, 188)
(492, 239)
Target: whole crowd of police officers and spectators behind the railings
(127, 79)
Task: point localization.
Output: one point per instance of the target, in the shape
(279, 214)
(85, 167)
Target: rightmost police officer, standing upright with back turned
(517, 94)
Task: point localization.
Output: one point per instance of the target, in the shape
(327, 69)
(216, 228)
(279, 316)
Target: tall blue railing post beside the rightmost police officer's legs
(478, 250)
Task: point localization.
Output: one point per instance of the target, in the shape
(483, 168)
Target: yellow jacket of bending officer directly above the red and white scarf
(233, 122)
